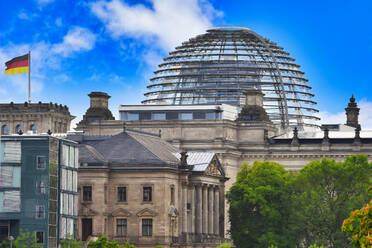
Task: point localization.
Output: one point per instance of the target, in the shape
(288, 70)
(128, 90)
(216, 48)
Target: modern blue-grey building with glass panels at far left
(38, 187)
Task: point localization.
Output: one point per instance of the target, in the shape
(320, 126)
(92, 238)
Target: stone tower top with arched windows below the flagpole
(34, 118)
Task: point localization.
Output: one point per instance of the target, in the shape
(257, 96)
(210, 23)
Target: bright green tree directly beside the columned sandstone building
(260, 206)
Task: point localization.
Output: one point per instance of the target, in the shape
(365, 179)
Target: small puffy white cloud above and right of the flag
(76, 40)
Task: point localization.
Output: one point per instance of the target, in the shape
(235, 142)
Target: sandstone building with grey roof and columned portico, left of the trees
(186, 206)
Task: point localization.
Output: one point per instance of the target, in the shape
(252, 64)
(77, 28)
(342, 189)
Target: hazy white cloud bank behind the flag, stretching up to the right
(44, 56)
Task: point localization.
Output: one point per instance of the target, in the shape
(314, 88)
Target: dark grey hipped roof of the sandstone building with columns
(127, 148)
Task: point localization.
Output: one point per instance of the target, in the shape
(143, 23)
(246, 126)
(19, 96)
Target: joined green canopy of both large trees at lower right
(271, 206)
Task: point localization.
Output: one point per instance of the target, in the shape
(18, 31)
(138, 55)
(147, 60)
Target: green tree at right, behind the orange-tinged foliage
(326, 193)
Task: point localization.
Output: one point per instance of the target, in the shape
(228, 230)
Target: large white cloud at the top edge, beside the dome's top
(166, 24)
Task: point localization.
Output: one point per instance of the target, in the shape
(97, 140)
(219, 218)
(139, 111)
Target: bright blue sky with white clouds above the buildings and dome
(115, 45)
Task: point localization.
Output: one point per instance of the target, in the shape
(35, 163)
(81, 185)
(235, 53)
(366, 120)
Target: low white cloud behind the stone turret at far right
(365, 115)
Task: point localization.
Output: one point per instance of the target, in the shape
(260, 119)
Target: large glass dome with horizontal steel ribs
(218, 66)
